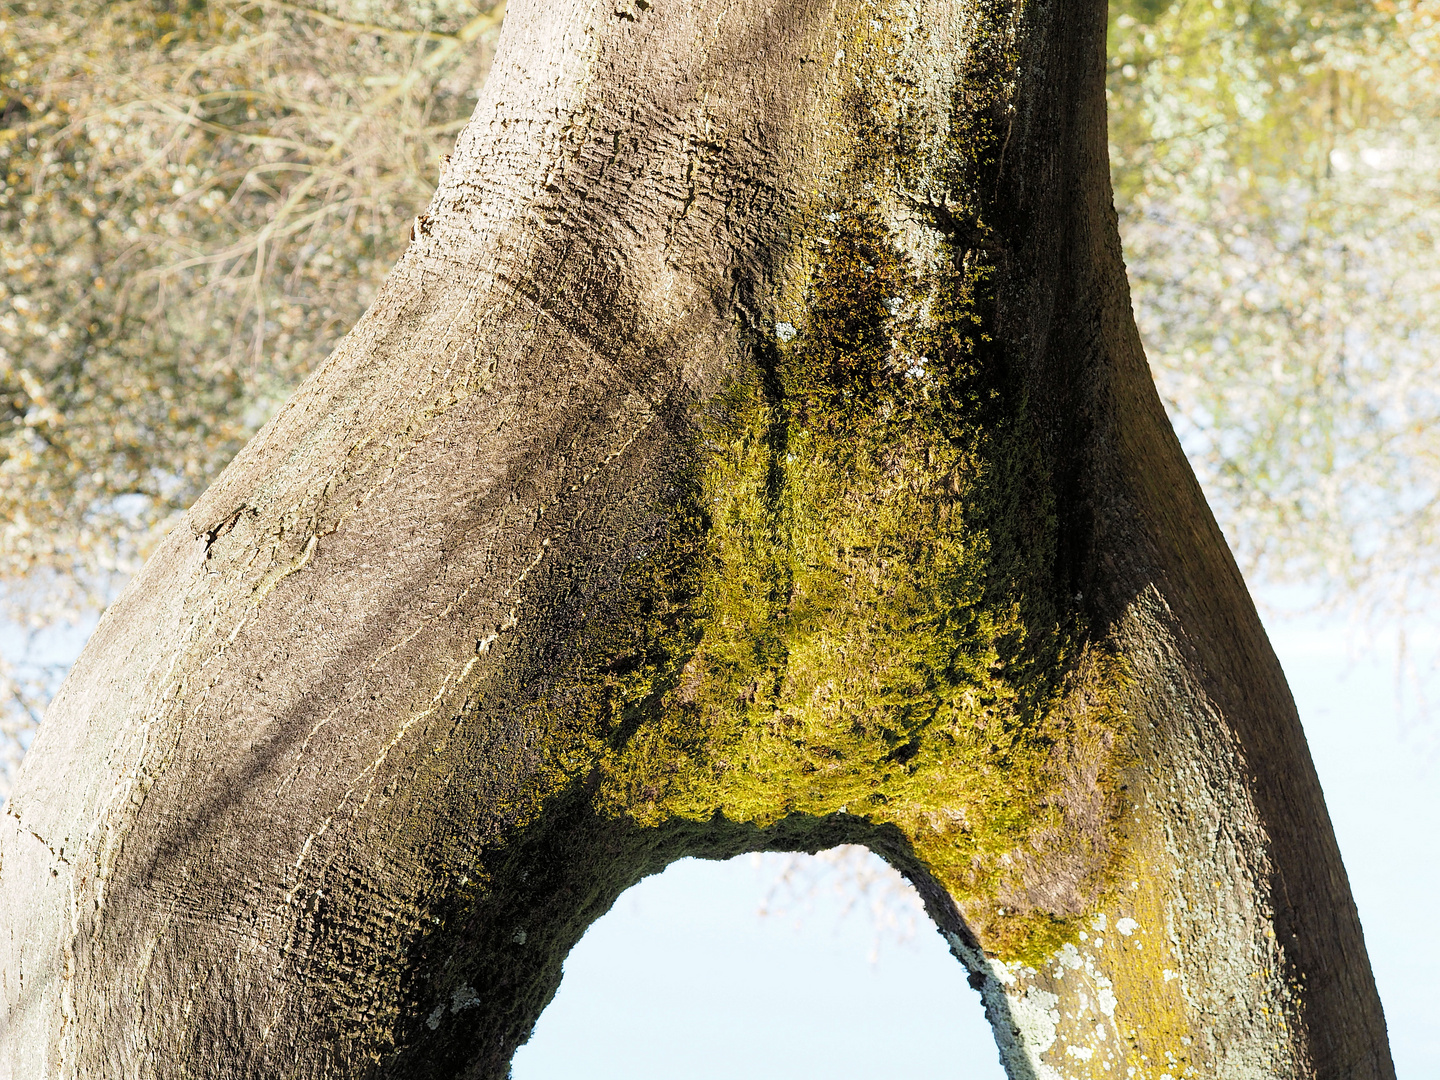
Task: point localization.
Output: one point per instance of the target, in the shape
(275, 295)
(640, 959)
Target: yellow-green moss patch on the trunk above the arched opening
(853, 610)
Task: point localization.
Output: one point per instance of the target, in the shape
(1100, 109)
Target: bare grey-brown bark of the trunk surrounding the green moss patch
(292, 814)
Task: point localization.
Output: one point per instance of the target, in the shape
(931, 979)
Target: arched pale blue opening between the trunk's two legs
(764, 966)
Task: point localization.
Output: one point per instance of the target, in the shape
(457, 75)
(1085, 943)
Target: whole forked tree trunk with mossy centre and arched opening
(754, 451)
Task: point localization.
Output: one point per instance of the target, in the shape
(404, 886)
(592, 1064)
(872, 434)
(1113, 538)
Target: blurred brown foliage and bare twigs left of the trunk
(199, 199)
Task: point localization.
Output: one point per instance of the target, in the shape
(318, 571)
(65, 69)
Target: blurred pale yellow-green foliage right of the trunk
(1278, 179)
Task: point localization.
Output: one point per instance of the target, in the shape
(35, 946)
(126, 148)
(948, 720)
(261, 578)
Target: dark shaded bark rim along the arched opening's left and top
(493, 966)
